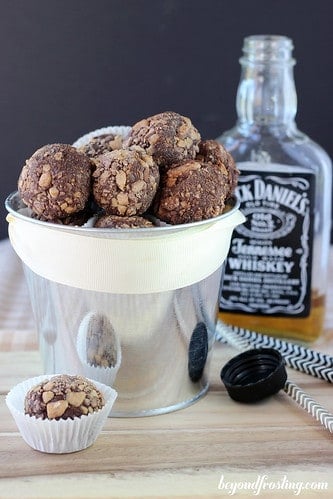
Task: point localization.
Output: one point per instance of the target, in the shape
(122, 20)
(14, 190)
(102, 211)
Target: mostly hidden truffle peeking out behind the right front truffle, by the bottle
(211, 151)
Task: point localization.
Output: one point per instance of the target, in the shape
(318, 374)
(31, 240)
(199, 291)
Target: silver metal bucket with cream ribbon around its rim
(135, 309)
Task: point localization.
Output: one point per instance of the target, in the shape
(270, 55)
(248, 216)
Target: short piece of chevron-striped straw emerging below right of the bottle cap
(309, 405)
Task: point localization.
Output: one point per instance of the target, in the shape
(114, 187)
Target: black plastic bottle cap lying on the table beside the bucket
(254, 374)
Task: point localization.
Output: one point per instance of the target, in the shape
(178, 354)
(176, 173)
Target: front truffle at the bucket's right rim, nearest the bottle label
(191, 191)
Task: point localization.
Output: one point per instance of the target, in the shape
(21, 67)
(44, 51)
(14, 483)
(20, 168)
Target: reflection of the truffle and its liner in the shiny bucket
(98, 348)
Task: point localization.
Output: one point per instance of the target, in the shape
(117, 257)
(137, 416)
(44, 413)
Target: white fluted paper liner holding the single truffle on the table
(63, 435)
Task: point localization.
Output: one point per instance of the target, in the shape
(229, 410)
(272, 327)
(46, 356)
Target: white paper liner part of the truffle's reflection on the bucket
(105, 375)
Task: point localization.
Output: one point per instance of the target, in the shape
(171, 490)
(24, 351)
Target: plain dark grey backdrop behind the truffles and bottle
(71, 66)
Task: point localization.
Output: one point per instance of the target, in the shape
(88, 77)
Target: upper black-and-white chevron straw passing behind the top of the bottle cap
(296, 356)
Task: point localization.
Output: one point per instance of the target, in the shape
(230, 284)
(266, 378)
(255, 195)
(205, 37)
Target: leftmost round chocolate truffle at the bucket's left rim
(55, 181)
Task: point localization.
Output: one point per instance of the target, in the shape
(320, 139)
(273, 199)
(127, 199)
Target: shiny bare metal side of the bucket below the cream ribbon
(162, 366)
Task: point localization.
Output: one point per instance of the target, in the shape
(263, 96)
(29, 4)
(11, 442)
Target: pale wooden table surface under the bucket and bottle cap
(216, 447)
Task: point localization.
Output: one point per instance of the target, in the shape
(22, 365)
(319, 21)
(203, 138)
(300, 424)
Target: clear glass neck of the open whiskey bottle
(266, 94)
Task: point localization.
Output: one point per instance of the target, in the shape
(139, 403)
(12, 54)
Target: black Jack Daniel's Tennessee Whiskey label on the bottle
(268, 268)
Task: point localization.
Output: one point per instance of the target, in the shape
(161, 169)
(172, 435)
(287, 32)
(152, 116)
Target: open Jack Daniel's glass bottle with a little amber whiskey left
(276, 272)
